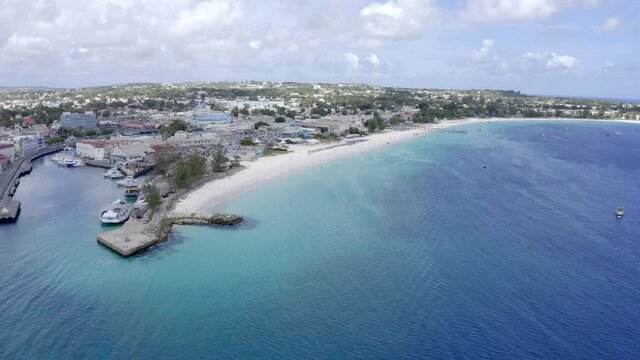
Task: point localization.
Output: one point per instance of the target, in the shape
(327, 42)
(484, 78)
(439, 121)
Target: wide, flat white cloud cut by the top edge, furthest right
(517, 10)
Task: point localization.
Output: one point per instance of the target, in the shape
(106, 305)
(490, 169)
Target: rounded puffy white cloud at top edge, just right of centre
(398, 19)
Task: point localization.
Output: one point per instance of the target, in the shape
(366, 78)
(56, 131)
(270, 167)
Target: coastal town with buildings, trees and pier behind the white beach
(182, 135)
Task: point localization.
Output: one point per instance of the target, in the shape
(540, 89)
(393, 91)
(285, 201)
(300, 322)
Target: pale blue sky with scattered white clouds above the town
(555, 47)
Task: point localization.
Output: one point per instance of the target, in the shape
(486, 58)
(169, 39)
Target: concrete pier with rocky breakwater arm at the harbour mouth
(136, 235)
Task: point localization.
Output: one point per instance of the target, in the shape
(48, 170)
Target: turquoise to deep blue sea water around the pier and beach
(500, 243)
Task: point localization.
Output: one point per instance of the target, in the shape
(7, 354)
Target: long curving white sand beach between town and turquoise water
(216, 193)
